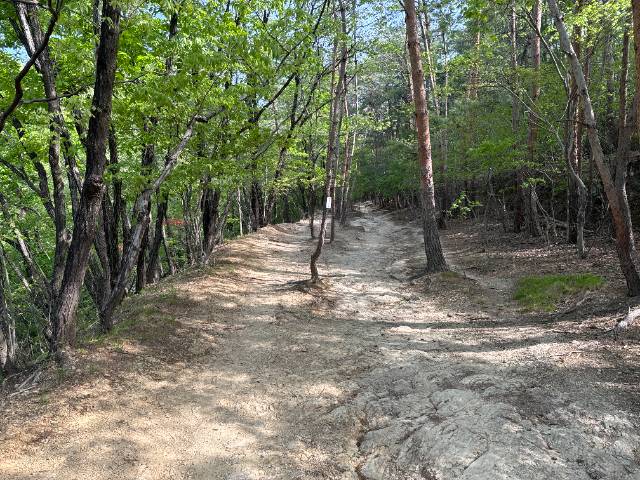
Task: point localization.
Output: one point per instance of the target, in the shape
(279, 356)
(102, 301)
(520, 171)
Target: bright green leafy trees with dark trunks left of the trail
(143, 134)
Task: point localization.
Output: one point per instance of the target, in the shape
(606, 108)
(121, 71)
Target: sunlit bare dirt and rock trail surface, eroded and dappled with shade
(237, 372)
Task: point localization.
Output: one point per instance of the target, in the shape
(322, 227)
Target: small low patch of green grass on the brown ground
(545, 291)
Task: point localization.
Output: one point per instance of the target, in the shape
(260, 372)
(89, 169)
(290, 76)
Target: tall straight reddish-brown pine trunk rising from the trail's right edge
(435, 258)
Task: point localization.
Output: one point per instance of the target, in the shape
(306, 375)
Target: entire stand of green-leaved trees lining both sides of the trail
(136, 136)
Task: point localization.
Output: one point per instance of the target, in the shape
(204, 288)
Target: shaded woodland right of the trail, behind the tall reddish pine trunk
(533, 118)
